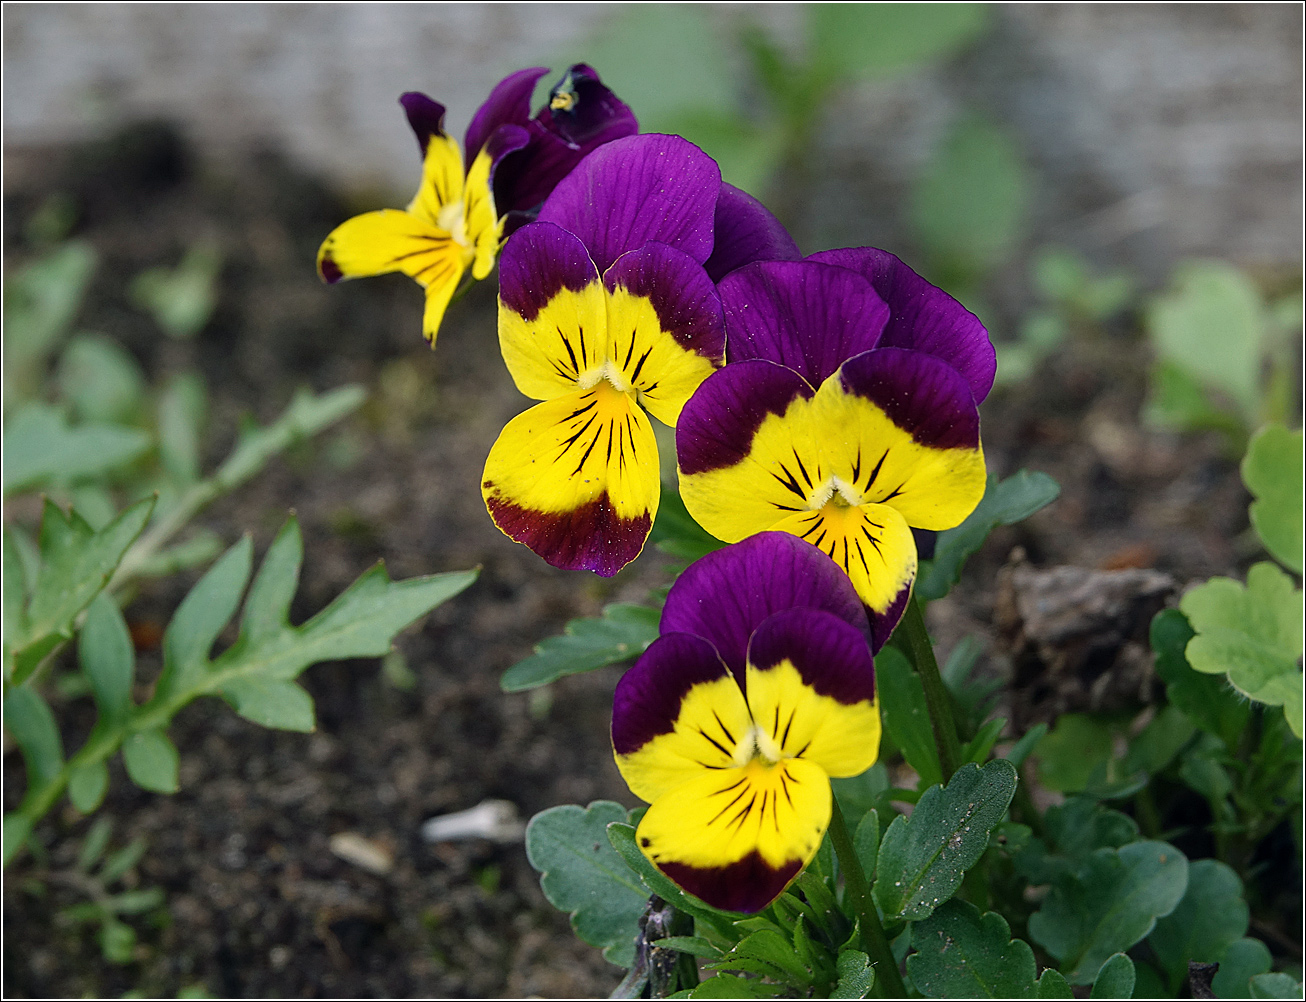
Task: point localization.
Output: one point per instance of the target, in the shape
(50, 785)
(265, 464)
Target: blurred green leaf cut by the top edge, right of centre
(876, 40)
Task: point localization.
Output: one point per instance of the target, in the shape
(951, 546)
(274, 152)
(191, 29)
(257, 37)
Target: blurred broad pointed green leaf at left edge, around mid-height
(41, 449)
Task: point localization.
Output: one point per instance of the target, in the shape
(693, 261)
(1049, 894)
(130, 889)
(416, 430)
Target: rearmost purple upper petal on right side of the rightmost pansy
(923, 317)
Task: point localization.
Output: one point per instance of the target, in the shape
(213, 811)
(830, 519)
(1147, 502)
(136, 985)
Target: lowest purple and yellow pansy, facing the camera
(732, 724)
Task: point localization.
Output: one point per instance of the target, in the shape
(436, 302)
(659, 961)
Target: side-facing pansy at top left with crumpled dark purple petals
(456, 220)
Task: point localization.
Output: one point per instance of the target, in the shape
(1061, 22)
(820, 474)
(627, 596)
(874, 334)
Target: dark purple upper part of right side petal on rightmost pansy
(921, 394)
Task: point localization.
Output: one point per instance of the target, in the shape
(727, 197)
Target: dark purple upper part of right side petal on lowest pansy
(830, 655)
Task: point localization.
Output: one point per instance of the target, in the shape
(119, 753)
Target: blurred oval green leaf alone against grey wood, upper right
(971, 202)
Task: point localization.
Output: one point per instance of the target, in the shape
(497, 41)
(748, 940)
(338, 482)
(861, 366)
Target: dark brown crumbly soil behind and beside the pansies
(258, 903)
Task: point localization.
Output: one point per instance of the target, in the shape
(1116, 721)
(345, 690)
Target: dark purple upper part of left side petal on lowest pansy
(648, 698)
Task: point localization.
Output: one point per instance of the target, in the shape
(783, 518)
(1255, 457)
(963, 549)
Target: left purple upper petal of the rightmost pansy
(809, 317)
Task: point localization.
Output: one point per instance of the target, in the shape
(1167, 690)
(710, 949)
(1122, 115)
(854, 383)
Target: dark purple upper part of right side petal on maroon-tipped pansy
(684, 297)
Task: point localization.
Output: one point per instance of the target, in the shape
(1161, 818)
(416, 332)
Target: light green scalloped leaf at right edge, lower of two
(1253, 634)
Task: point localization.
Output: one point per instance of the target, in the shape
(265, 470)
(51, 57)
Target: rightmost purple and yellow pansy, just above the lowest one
(847, 417)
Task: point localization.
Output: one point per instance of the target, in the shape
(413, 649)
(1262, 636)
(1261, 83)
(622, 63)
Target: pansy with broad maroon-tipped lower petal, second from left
(605, 312)
